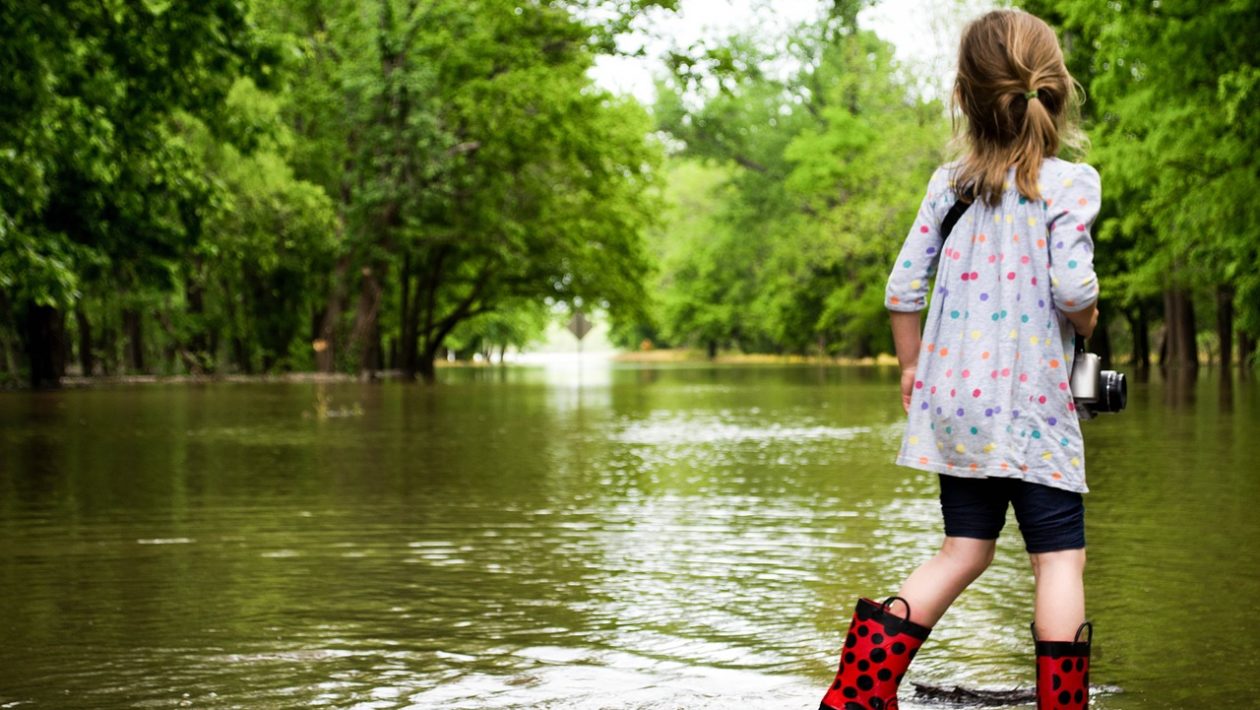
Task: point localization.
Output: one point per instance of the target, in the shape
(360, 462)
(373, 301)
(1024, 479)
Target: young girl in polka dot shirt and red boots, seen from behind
(987, 387)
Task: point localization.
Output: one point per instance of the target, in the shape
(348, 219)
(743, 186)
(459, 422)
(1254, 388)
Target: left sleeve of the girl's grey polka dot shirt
(908, 284)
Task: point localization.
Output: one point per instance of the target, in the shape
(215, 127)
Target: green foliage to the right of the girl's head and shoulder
(1174, 89)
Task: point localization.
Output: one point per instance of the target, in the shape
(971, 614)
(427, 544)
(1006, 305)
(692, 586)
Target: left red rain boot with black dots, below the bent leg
(876, 655)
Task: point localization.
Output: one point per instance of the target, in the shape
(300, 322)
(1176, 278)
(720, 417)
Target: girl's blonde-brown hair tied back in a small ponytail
(1020, 103)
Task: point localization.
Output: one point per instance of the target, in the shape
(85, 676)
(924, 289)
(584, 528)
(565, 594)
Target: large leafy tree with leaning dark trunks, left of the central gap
(474, 165)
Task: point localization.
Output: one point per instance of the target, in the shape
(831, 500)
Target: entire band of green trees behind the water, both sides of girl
(347, 186)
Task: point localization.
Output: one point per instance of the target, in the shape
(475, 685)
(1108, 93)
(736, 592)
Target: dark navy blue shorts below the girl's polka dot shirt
(1050, 519)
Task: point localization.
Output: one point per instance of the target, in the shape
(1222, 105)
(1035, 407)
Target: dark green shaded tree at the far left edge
(98, 187)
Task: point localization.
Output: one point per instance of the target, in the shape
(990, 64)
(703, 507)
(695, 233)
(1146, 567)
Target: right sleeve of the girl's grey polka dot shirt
(1072, 209)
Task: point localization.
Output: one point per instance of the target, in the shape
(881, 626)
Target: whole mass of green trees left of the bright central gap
(241, 182)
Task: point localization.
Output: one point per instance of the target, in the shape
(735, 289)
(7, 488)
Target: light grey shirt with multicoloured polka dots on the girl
(991, 395)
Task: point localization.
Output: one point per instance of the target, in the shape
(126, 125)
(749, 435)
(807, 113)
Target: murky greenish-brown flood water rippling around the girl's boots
(636, 537)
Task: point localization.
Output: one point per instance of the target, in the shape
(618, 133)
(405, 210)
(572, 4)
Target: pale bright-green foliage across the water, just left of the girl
(823, 172)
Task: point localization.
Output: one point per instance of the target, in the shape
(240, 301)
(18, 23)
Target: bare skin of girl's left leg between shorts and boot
(937, 583)
